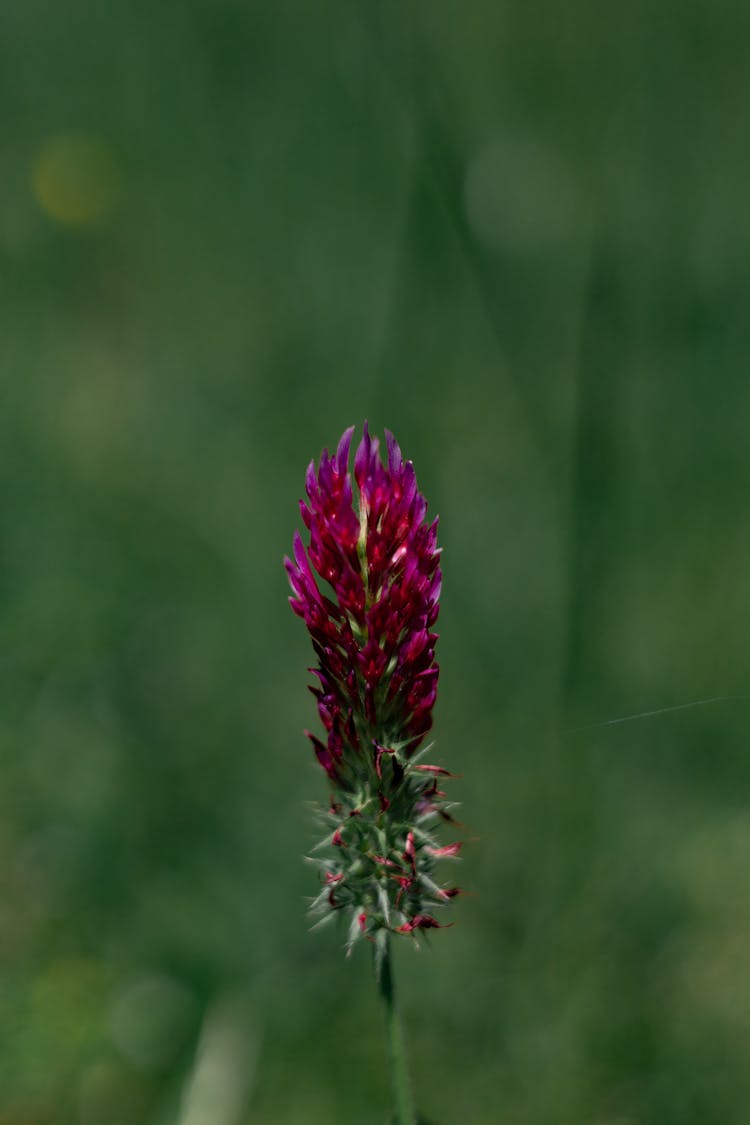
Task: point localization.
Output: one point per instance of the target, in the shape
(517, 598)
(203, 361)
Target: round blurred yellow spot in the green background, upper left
(75, 178)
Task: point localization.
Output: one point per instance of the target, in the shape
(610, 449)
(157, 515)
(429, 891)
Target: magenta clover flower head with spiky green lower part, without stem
(368, 590)
